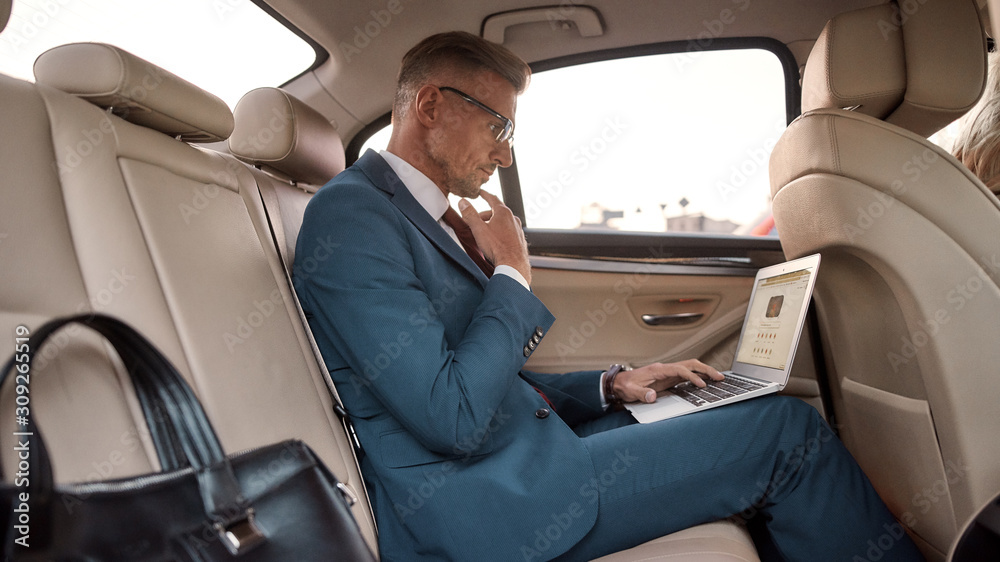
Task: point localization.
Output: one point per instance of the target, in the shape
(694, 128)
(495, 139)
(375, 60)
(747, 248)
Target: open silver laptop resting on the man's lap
(771, 331)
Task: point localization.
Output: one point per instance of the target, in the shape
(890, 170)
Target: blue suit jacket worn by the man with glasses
(426, 353)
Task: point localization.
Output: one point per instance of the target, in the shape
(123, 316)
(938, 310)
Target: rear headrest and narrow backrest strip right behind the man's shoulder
(298, 148)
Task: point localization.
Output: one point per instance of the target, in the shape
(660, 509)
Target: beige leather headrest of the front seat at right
(920, 66)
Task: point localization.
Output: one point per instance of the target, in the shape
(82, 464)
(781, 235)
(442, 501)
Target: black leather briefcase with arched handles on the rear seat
(277, 502)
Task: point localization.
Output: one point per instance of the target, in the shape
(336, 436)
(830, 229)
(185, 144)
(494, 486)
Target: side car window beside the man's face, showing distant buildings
(666, 142)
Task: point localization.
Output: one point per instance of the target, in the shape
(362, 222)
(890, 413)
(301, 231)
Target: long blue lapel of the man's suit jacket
(384, 178)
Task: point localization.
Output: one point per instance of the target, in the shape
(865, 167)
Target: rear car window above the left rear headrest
(227, 47)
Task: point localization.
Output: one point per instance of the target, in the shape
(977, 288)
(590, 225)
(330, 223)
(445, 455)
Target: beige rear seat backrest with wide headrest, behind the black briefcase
(105, 215)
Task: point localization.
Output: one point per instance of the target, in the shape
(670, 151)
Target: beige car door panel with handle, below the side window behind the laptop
(620, 309)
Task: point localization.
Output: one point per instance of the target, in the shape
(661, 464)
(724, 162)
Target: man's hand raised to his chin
(498, 233)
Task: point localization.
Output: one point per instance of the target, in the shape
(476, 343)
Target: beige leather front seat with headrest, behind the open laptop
(908, 296)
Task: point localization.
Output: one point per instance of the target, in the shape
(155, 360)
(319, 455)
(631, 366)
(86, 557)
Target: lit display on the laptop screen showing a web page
(772, 320)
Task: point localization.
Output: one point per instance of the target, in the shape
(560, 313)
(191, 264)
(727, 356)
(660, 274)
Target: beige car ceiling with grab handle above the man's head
(354, 86)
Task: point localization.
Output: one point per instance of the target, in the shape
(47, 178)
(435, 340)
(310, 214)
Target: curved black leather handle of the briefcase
(183, 436)
